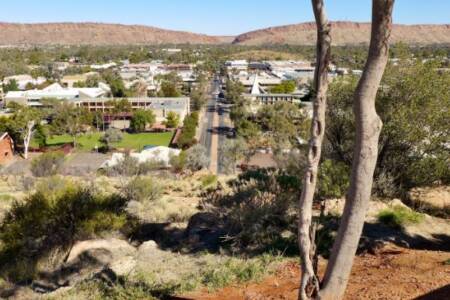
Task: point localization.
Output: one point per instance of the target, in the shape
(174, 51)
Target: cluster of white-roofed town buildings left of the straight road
(33, 91)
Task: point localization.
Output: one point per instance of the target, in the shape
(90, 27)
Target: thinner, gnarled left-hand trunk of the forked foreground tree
(306, 234)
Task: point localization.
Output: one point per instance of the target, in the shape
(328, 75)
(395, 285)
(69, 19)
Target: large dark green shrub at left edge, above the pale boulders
(43, 223)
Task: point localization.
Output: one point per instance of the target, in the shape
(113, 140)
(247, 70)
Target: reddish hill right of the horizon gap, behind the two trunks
(345, 33)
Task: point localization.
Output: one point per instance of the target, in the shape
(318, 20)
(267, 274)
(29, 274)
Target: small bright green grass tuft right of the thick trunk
(399, 216)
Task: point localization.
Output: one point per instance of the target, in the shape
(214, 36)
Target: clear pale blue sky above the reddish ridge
(225, 17)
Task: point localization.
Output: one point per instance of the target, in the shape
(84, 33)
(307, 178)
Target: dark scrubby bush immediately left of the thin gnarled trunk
(259, 210)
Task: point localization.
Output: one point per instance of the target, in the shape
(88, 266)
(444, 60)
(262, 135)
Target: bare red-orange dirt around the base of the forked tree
(394, 273)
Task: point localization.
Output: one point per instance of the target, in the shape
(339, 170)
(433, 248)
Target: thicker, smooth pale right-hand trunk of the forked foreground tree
(368, 128)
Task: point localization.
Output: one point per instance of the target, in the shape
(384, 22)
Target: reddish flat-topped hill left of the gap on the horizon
(96, 34)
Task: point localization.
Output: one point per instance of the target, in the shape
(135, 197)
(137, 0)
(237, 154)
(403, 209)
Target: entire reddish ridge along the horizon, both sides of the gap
(343, 33)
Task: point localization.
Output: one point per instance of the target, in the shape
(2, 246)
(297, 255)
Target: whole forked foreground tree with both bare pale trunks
(368, 128)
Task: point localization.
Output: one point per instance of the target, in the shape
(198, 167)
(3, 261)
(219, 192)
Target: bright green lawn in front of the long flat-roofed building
(87, 142)
